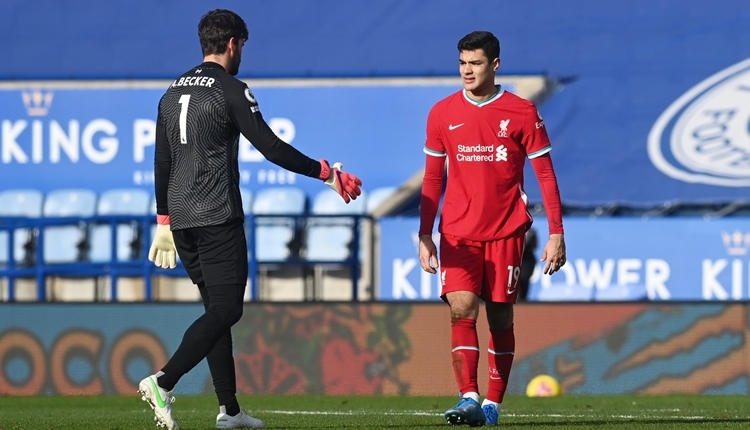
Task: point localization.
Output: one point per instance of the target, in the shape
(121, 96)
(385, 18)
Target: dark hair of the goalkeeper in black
(217, 27)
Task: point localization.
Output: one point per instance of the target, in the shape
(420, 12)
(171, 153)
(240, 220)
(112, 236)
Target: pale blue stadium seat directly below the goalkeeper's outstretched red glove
(330, 239)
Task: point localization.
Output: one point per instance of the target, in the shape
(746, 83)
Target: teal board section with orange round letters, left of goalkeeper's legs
(69, 348)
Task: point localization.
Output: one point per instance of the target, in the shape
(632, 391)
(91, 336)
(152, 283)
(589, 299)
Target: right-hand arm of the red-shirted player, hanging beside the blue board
(538, 148)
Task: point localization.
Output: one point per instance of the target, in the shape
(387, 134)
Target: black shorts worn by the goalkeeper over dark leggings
(214, 255)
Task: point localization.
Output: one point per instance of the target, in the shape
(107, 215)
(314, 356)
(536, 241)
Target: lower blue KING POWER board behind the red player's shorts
(657, 259)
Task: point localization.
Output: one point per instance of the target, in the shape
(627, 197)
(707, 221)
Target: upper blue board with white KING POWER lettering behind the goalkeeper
(102, 137)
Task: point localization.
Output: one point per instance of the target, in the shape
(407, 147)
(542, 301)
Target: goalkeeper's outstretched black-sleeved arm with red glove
(245, 113)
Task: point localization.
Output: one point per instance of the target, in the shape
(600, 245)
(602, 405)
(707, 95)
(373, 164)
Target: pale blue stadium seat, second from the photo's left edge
(65, 244)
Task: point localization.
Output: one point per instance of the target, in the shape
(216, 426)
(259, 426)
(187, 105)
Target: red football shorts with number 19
(490, 269)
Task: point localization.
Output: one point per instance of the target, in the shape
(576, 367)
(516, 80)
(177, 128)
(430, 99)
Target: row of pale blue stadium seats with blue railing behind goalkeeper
(80, 243)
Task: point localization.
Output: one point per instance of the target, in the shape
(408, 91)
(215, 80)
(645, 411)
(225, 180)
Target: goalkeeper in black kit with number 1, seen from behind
(199, 206)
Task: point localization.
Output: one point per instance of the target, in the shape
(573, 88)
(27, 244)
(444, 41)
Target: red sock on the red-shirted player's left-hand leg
(465, 354)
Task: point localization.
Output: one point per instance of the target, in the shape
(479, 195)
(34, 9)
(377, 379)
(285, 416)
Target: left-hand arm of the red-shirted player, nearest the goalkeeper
(432, 189)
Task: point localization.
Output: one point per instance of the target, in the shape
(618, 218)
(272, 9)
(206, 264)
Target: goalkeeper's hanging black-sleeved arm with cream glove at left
(162, 251)
